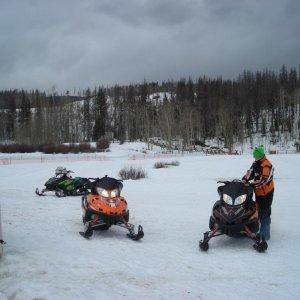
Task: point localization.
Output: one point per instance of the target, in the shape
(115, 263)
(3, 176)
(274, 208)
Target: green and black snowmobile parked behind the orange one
(64, 185)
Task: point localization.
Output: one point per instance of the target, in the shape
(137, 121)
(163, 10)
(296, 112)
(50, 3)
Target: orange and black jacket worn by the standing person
(261, 172)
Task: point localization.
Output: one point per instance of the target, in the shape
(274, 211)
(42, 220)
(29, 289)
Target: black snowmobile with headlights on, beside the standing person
(235, 214)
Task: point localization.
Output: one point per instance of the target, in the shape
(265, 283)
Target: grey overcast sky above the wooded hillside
(80, 43)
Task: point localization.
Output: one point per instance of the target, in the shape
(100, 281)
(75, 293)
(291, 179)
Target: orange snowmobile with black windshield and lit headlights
(104, 207)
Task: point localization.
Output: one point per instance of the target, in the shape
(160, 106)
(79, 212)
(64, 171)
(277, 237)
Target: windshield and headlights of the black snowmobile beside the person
(235, 193)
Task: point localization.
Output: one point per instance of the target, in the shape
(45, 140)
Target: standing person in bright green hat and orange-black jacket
(261, 172)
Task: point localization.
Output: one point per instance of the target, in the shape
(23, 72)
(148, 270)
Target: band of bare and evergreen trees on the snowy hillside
(229, 110)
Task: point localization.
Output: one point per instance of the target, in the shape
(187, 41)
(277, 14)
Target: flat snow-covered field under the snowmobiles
(45, 258)
